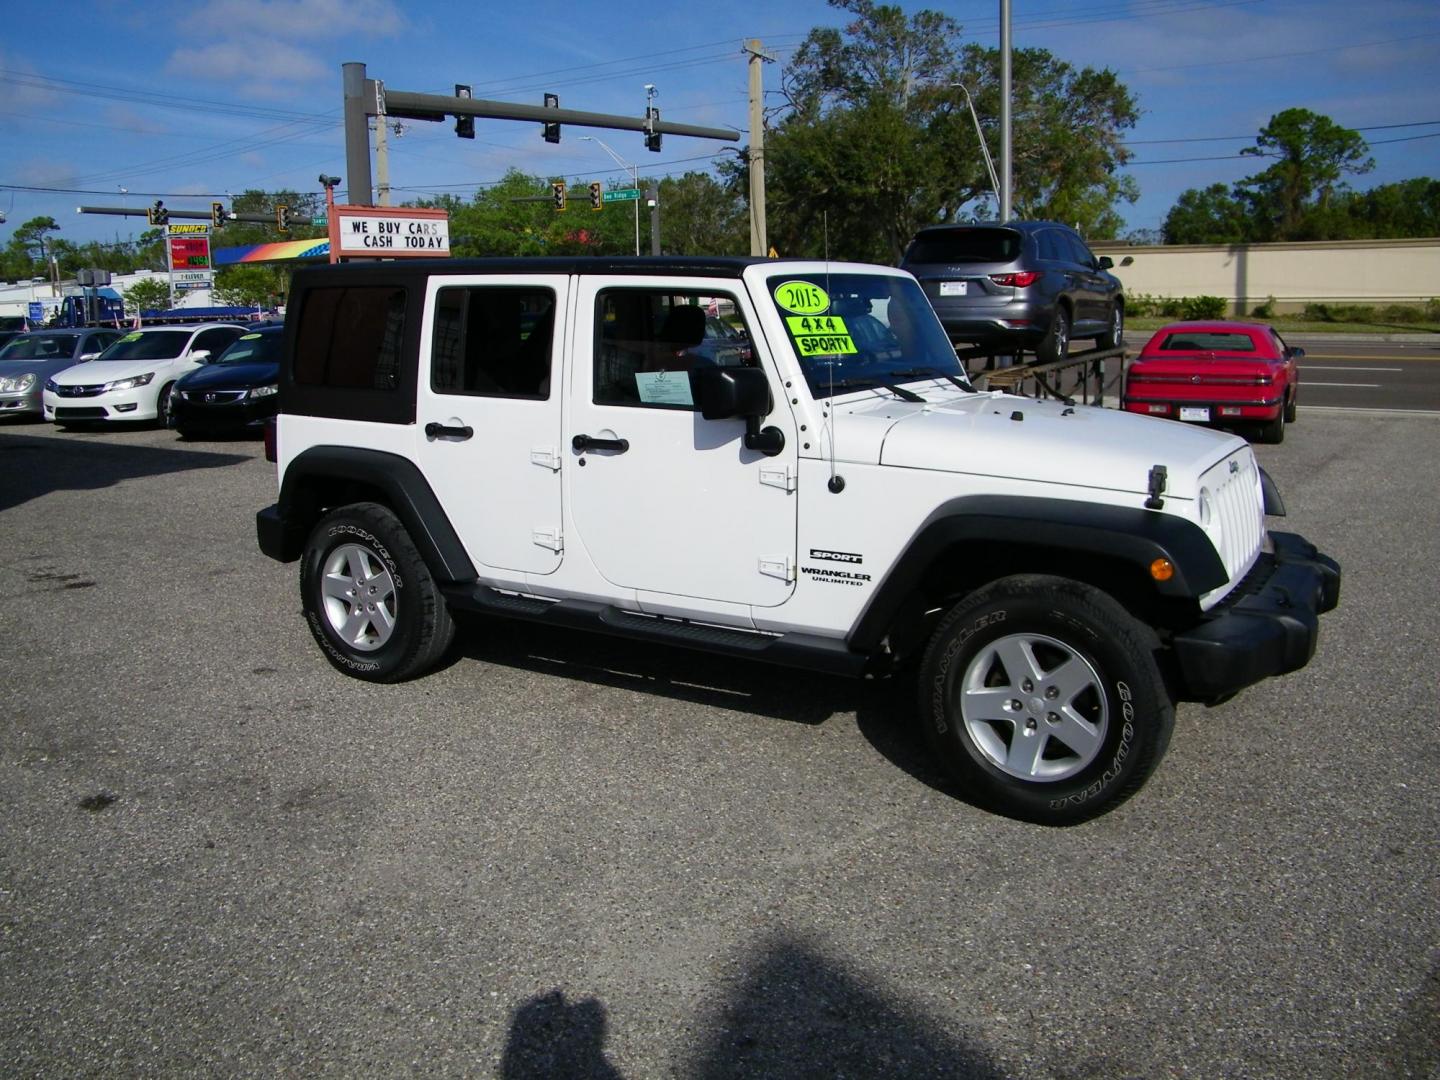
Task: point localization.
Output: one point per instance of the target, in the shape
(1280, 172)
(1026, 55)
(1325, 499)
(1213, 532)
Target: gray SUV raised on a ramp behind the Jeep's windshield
(1025, 286)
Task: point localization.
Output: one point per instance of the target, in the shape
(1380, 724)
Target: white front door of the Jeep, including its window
(663, 500)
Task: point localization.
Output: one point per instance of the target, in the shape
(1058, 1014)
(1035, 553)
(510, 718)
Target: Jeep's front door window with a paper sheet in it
(647, 342)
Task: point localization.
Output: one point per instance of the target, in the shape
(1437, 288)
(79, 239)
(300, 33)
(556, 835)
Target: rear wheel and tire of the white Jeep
(369, 597)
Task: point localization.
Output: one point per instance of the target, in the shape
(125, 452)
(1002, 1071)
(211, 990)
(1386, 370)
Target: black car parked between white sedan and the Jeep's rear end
(235, 392)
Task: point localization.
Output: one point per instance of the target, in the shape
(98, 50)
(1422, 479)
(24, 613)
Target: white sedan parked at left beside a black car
(132, 379)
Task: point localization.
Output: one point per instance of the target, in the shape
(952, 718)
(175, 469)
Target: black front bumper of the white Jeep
(1268, 627)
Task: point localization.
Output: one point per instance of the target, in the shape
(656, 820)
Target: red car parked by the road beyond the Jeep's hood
(1219, 374)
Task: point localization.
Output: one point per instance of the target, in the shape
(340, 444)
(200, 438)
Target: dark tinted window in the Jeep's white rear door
(493, 342)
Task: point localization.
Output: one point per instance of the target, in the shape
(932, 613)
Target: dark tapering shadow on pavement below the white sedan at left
(34, 467)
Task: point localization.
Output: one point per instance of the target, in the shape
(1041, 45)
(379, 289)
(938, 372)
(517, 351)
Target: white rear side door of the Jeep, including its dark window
(489, 414)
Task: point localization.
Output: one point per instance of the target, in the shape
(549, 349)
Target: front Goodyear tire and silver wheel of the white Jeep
(1043, 698)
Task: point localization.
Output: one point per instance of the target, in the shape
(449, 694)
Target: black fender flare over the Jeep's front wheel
(1133, 536)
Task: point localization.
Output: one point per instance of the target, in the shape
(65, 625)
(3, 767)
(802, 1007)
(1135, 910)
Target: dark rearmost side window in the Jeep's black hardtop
(351, 338)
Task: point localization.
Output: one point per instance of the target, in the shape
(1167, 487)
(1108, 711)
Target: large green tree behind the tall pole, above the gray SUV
(875, 139)
